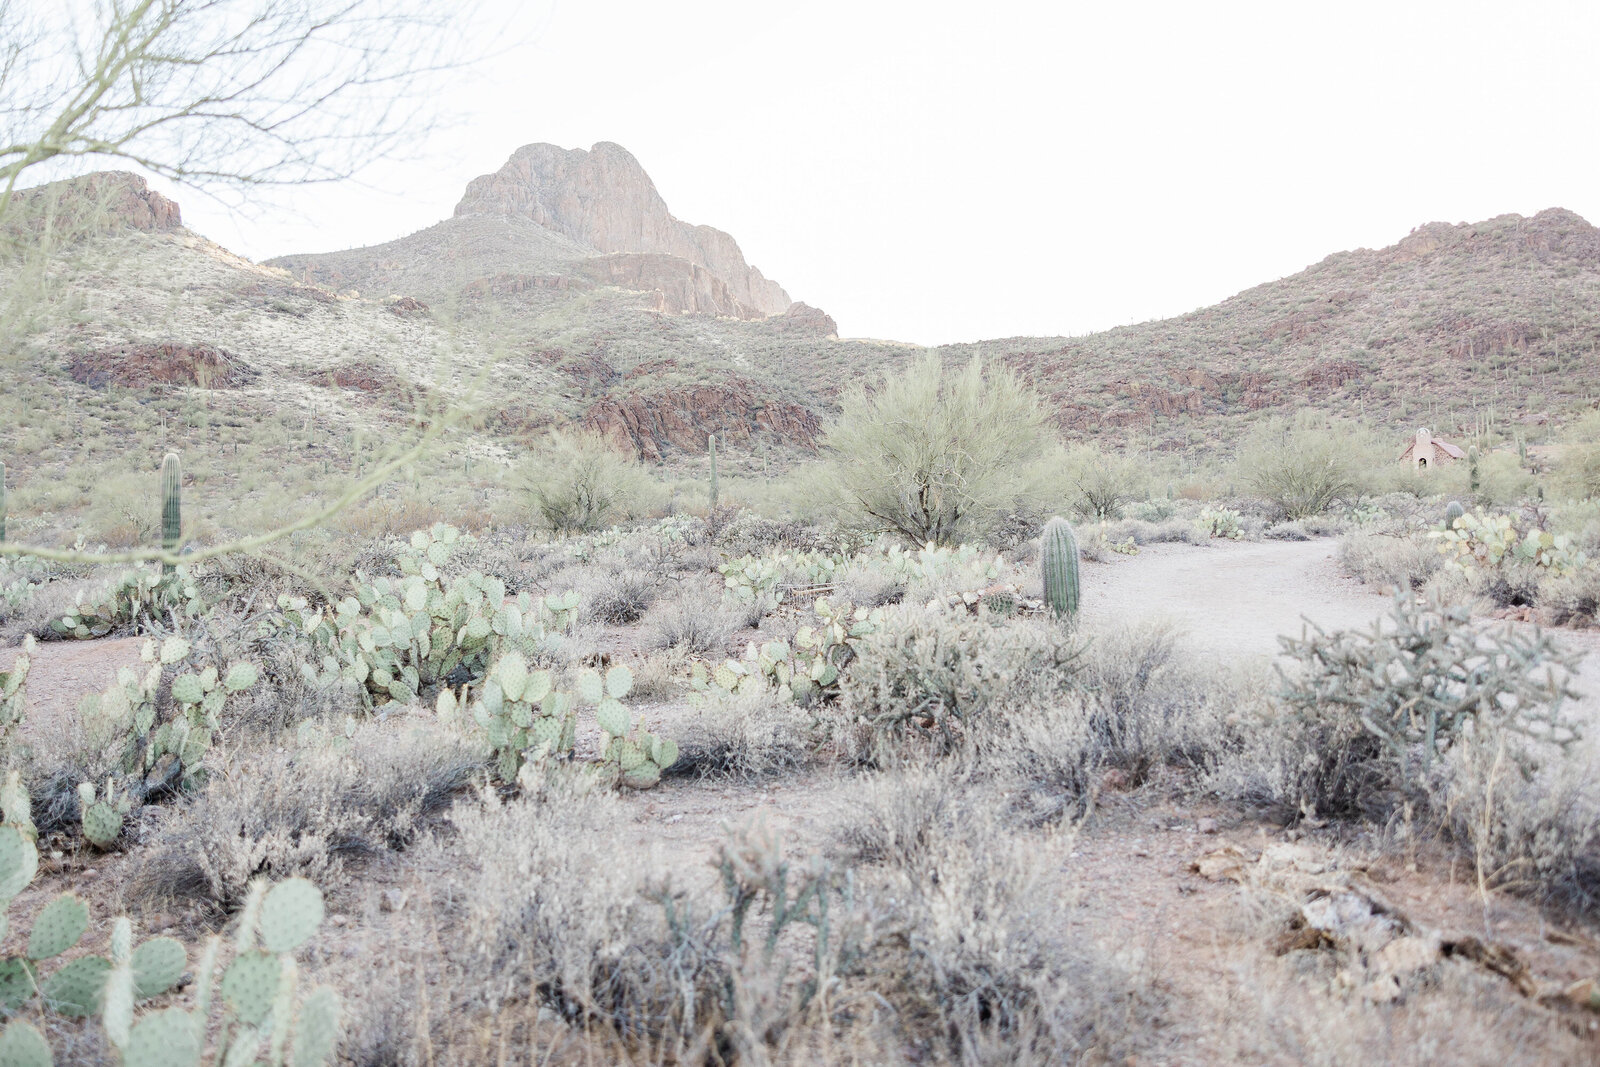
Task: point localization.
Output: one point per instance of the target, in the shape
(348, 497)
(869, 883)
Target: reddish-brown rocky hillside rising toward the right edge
(1452, 327)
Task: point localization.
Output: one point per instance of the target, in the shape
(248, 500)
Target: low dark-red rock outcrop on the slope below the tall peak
(657, 423)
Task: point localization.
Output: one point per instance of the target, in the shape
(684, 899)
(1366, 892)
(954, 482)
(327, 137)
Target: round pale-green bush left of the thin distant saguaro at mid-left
(582, 482)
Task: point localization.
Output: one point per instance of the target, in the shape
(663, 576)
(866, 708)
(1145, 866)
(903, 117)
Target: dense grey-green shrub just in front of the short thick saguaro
(929, 676)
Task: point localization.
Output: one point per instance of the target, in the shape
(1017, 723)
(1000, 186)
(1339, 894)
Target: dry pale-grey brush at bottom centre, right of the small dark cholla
(988, 959)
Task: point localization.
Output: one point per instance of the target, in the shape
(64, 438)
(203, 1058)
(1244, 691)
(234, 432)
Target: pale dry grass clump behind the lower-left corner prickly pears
(303, 812)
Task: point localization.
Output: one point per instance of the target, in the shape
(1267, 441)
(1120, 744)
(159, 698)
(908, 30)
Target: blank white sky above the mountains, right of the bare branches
(954, 172)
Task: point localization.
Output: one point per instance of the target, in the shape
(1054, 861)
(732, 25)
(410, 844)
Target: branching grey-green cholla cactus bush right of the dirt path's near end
(1364, 716)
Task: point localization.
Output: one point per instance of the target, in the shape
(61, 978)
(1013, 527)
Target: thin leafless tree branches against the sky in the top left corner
(217, 92)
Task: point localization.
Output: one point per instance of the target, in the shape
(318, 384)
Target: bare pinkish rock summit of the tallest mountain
(606, 199)
